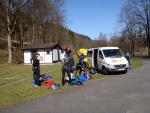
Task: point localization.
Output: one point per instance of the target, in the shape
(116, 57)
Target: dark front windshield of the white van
(114, 53)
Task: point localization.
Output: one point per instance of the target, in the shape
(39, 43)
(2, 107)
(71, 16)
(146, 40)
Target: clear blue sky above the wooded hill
(92, 17)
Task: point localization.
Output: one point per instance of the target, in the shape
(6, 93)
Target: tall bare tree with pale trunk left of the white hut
(9, 17)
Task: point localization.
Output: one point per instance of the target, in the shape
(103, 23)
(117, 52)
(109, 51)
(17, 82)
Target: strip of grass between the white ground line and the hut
(11, 73)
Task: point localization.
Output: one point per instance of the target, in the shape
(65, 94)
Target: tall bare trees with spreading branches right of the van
(136, 13)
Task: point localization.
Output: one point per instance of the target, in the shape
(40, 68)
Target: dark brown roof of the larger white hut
(41, 46)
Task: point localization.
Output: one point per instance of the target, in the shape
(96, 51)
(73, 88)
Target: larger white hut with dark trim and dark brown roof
(51, 53)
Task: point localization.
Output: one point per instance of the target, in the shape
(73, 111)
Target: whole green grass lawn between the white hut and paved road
(16, 82)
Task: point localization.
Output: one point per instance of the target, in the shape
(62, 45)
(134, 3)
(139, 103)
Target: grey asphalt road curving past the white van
(126, 93)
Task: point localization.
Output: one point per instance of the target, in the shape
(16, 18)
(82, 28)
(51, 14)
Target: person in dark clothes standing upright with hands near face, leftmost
(36, 69)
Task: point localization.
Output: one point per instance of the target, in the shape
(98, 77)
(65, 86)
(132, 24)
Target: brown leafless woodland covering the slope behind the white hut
(40, 21)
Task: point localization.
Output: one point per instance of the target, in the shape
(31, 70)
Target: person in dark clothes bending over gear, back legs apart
(66, 68)
